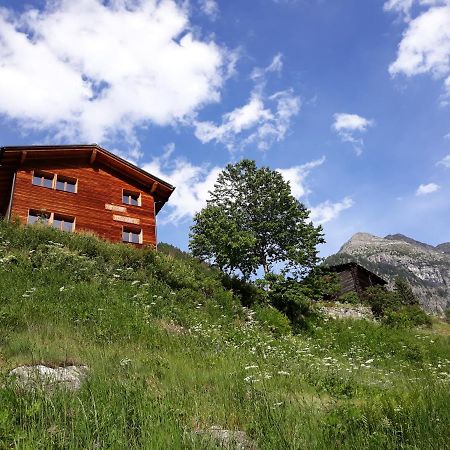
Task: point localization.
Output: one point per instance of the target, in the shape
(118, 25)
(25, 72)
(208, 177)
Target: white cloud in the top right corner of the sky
(425, 44)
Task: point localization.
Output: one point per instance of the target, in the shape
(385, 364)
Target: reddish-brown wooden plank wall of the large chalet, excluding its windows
(97, 187)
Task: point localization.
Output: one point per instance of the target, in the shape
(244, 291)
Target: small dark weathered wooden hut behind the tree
(354, 277)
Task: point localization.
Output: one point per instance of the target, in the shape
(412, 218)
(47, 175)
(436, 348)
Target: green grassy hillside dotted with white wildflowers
(172, 351)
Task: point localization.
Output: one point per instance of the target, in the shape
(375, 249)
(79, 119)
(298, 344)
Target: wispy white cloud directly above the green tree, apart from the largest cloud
(260, 122)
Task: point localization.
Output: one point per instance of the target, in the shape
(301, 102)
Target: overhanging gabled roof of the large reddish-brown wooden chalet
(12, 157)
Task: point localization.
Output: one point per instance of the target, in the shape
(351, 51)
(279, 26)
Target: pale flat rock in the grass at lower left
(44, 377)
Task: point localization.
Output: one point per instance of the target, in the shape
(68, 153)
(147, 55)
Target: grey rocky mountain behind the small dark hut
(426, 267)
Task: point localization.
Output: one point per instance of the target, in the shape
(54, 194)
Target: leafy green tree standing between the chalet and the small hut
(252, 221)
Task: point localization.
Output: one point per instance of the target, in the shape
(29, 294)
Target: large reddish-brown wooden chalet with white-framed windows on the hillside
(81, 187)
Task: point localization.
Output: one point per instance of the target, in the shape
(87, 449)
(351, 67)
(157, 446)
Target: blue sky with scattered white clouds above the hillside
(349, 99)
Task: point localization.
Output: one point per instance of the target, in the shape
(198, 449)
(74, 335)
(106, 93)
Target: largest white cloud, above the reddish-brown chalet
(94, 69)
